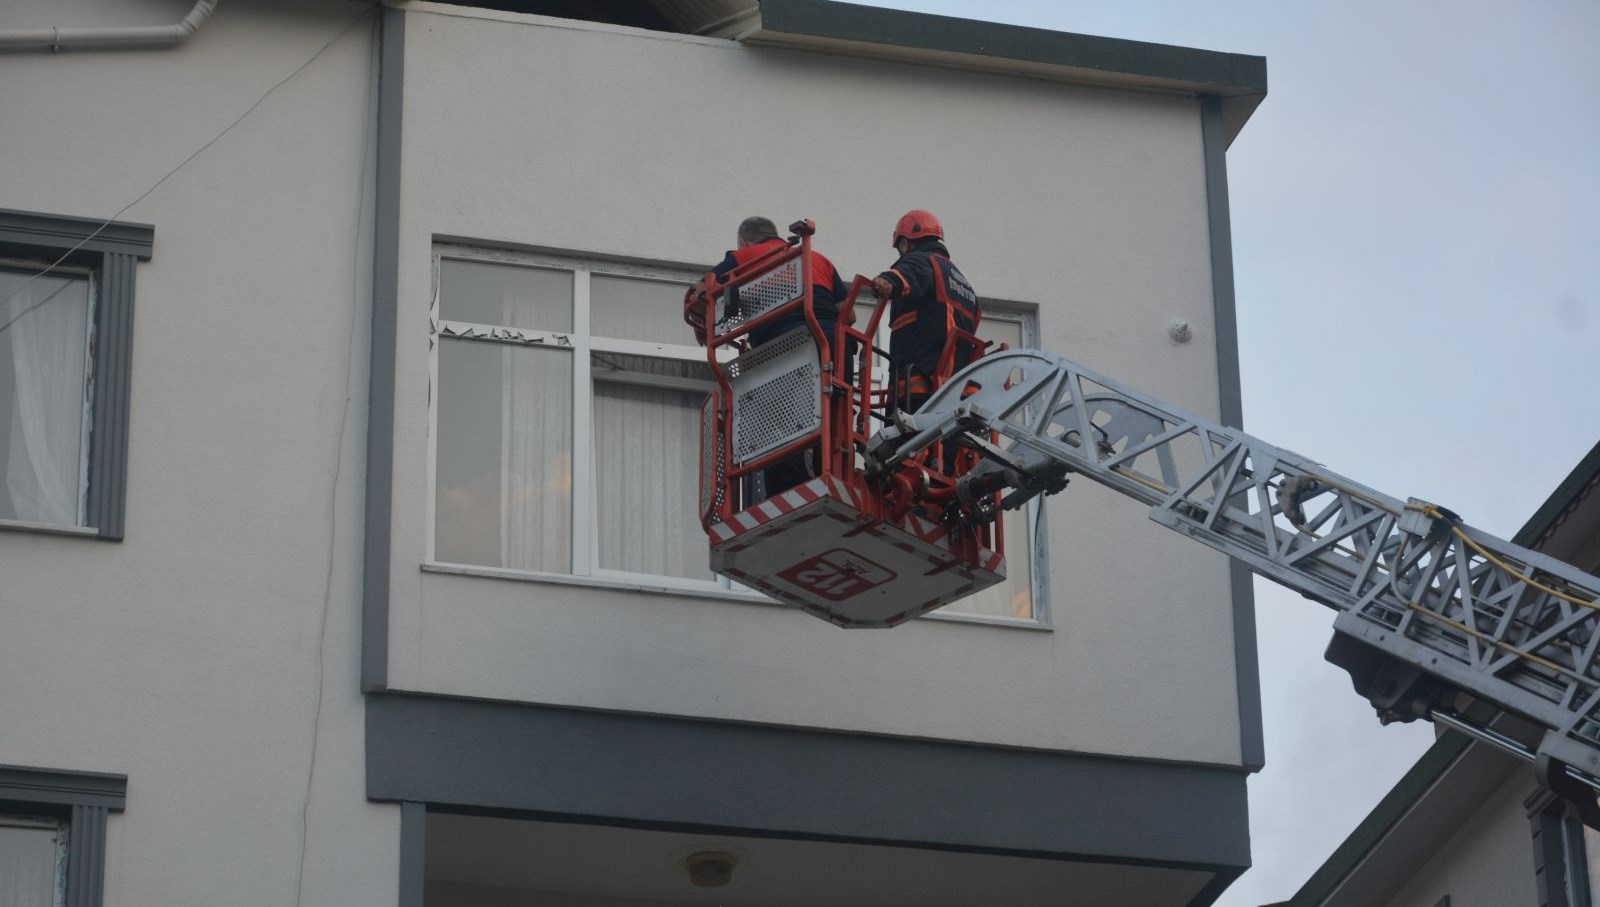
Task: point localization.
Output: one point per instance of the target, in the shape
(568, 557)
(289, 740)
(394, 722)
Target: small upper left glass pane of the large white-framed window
(506, 295)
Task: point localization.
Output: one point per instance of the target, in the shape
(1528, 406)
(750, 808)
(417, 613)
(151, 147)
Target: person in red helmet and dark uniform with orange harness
(929, 302)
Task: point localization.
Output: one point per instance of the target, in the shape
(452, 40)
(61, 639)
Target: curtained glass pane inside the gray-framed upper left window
(44, 358)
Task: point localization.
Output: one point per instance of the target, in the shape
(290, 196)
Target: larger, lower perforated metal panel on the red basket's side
(777, 396)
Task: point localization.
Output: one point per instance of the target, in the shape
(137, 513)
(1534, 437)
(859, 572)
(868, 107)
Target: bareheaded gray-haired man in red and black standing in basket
(756, 239)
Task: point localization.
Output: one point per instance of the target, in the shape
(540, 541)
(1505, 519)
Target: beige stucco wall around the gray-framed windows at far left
(191, 657)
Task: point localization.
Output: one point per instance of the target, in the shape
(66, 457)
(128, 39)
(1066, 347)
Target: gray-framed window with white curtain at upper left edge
(66, 342)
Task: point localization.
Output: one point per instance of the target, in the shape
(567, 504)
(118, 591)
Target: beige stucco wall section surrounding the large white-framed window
(1089, 204)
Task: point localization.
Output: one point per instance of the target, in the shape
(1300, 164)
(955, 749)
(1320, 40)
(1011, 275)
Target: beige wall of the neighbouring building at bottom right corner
(1487, 863)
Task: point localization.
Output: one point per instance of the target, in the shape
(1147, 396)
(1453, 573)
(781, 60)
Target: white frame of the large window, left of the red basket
(582, 345)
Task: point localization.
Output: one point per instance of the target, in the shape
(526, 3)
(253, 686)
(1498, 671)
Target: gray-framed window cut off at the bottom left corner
(54, 836)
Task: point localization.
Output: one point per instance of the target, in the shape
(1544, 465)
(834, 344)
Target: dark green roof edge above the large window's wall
(1241, 81)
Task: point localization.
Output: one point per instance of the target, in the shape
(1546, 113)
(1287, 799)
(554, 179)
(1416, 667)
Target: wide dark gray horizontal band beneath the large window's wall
(682, 773)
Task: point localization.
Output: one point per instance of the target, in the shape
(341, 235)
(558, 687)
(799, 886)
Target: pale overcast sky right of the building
(1418, 281)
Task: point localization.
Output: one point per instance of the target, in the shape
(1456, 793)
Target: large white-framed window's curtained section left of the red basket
(567, 420)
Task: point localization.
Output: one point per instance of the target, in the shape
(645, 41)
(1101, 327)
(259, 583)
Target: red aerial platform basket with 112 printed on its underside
(850, 549)
